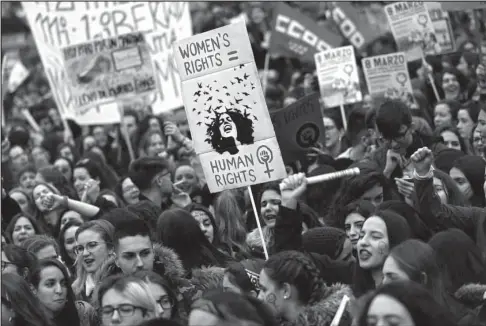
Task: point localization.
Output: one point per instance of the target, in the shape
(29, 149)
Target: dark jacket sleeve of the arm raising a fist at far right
(439, 217)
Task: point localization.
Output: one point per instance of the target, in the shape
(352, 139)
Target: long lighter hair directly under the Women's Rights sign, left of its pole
(231, 228)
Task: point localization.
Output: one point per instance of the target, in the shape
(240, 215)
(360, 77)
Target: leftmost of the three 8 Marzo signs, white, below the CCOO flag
(338, 76)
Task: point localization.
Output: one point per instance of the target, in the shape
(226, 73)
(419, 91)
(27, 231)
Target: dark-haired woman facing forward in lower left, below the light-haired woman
(50, 280)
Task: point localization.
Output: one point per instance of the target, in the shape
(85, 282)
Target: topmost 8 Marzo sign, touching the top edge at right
(412, 29)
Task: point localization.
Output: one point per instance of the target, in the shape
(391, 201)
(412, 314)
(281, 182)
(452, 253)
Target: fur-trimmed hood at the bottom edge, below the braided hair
(323, 312)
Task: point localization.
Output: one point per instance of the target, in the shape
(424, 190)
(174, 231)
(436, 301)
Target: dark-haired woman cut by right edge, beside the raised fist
(468, 174)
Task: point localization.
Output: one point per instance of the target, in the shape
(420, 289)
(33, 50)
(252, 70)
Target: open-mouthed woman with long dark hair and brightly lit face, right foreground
(380, 233)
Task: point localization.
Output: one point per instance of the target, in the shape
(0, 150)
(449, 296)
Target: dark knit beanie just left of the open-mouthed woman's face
(327, 241)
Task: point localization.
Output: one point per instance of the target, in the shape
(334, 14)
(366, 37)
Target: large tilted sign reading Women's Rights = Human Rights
(225, 106)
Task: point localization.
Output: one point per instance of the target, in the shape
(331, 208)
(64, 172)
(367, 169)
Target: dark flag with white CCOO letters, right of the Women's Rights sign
(296, 35)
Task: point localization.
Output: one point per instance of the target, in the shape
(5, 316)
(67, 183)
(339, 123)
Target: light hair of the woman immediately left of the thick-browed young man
(107, 231)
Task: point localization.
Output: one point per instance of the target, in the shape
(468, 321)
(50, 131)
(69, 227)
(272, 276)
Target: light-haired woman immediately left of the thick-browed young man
(94, 246)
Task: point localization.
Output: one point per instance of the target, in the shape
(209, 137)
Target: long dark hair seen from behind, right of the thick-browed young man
(177, 229)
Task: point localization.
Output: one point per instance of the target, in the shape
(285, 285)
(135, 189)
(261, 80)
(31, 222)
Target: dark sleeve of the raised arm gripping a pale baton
(288, 230)
